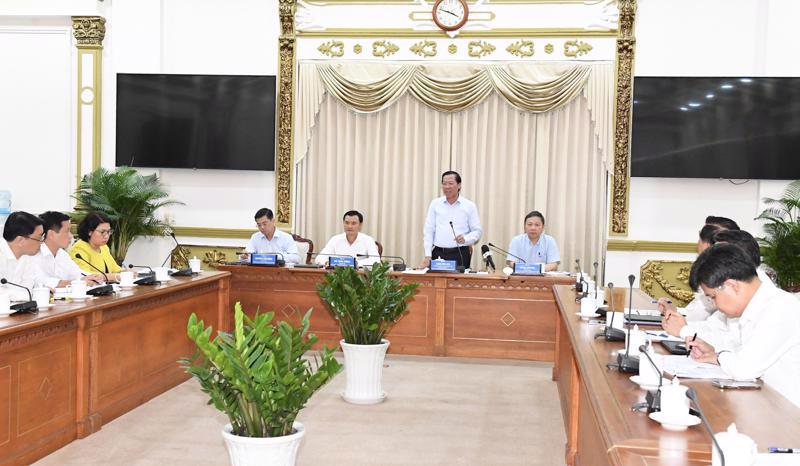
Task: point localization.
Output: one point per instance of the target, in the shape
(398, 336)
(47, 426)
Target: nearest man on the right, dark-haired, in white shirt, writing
(769, 321)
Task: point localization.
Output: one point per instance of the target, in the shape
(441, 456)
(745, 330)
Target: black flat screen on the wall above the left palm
(196, 121)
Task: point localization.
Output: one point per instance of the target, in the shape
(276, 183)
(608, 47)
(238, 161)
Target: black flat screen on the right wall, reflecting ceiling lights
(734, 128)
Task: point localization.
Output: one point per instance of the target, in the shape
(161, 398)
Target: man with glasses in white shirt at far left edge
(23, 235)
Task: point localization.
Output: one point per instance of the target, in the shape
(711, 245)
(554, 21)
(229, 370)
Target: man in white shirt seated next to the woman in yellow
(54, 266)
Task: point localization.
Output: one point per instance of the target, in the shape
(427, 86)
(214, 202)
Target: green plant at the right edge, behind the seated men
(780, 247)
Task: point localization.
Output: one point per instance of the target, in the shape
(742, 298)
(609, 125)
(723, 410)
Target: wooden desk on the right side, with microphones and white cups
(602, 429)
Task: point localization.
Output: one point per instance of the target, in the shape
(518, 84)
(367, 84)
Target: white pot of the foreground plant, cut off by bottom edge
(268, 451)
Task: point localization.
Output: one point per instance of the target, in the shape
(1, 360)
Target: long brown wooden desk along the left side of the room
(78, 365)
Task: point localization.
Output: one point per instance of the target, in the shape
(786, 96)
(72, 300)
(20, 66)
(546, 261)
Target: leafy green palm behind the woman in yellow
(129, 199)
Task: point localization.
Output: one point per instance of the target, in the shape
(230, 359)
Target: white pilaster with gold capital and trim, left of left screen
(89, 32)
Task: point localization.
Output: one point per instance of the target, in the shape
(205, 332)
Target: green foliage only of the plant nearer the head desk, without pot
(366, 305)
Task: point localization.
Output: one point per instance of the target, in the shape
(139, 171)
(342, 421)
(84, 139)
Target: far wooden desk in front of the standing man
(451, 314)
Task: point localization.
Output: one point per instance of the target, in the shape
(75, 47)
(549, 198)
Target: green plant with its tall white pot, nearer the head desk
(366, 305)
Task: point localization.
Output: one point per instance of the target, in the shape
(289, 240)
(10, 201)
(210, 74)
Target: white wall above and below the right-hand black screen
(704, 38)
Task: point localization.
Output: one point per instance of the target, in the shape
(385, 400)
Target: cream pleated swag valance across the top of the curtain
(454, 87)
